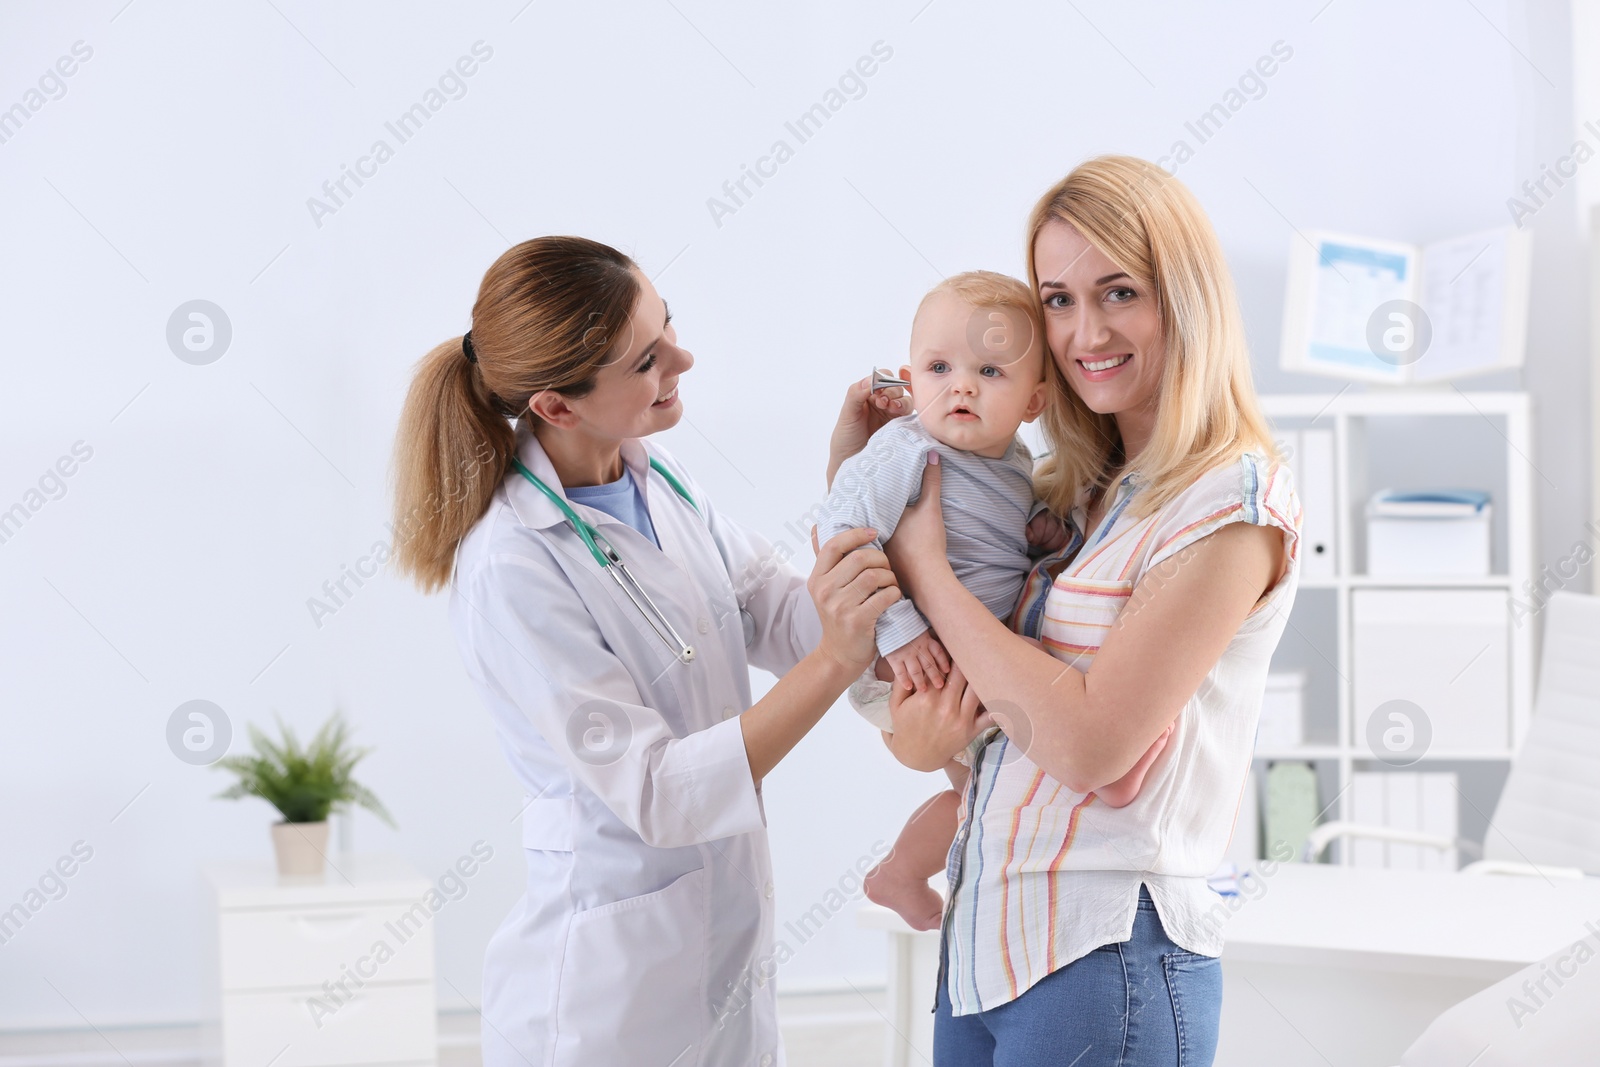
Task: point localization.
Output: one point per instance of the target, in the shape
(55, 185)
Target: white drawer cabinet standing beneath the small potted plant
(321, 972)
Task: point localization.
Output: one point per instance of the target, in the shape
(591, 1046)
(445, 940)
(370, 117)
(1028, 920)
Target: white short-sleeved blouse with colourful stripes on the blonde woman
(1041, 876)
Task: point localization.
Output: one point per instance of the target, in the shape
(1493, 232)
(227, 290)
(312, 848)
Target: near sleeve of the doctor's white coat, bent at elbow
(542, 653)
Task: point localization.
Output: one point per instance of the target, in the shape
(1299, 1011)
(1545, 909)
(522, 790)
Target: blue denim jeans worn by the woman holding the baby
(1134, 1004)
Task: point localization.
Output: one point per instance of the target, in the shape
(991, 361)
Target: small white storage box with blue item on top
(1433, 533)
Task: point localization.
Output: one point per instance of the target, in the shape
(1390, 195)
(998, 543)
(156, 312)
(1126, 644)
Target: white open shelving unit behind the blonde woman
(1462, 649)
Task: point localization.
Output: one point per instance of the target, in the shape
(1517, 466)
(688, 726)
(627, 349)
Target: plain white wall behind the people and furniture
(178, 166)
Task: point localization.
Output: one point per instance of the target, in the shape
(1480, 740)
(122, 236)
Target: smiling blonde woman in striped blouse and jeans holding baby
(1079, 933)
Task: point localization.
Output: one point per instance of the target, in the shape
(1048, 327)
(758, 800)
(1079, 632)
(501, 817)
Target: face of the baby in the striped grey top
(977, 374)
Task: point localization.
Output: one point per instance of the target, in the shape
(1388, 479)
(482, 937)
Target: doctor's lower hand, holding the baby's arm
(850, 586)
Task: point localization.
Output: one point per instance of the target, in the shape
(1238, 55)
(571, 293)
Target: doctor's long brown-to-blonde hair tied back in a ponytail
(550, 314)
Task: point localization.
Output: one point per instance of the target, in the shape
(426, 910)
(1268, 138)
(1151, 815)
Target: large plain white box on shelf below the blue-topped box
(1447, 653)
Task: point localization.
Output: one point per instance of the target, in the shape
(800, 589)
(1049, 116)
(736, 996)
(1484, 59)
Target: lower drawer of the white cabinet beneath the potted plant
(380, 1025)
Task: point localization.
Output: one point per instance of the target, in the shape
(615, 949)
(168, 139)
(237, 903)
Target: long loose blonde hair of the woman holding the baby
(1150, 225)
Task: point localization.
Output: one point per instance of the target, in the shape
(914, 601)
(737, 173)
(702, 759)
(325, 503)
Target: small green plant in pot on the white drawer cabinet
(305, 786)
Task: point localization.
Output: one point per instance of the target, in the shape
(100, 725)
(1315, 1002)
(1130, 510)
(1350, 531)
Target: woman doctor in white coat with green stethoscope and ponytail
(607, 613)
